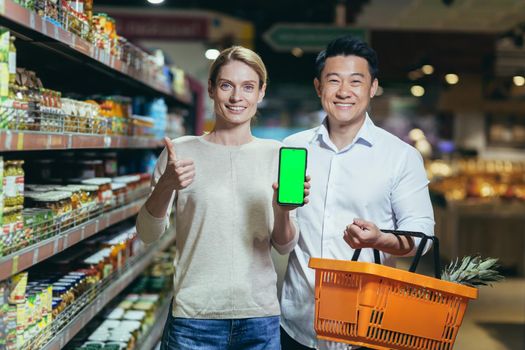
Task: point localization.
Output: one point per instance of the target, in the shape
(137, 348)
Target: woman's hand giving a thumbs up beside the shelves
(179, 173)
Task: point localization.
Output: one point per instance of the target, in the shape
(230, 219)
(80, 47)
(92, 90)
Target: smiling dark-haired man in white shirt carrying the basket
(363, 179)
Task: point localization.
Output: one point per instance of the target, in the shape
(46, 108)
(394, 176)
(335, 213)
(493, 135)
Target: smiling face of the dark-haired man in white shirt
(345, 89)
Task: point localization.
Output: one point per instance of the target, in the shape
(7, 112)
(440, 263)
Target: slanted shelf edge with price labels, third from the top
(32, 255)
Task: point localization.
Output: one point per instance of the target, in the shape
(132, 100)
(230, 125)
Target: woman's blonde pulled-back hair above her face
(242, 54)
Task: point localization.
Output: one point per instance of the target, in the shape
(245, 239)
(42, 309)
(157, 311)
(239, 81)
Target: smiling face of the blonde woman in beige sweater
(236, 93)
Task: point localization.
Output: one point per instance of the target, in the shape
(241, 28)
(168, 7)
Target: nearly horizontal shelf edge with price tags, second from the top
(38, 141)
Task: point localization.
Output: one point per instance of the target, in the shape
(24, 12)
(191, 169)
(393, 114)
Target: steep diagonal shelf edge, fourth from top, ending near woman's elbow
(123, 279)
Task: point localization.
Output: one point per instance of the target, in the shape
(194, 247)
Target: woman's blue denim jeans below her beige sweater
(260, 333)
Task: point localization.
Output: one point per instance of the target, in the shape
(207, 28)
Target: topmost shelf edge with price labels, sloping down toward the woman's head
(33, 28)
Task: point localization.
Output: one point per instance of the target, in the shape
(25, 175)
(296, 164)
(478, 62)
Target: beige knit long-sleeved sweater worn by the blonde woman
(223, 224)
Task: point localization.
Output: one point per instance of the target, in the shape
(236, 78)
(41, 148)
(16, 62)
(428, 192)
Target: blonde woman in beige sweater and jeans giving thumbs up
(226, 219)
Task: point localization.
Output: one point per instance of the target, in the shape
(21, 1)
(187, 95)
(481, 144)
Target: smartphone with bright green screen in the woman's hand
(292, 174)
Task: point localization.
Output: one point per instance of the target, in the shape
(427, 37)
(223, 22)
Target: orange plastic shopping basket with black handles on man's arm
(382, 307)
